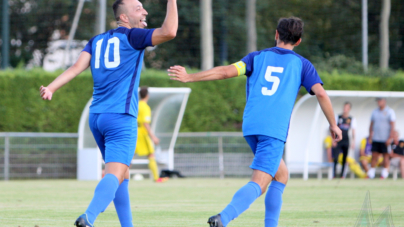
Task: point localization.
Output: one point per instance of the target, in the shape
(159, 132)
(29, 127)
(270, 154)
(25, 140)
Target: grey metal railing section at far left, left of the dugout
(38, 155)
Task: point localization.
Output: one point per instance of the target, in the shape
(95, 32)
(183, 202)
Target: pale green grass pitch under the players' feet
(190, 202)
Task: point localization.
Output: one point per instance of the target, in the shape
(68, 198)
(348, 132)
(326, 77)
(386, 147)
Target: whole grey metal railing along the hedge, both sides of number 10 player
(54, 155)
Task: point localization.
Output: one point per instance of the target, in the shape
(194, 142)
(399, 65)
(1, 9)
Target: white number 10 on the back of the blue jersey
(117, 57)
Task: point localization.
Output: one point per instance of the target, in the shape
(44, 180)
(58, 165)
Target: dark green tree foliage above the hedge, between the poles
(332, 27)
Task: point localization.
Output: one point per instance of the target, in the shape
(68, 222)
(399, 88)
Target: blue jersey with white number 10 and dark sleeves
(116, 63)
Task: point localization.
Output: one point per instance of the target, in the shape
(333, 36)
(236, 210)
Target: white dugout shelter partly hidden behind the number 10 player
(167, 105)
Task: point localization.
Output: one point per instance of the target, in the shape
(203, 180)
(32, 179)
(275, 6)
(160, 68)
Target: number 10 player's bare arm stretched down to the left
(81, 64)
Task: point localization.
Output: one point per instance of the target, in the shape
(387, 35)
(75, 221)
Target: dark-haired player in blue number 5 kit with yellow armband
(274, 77)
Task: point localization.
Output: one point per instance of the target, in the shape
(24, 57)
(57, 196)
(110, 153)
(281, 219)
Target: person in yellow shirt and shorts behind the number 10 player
(146, 137)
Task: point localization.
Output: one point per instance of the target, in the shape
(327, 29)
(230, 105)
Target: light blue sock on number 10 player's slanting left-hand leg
(103, 196)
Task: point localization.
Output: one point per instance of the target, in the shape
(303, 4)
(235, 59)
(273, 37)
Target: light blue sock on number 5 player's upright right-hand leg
(273, 203)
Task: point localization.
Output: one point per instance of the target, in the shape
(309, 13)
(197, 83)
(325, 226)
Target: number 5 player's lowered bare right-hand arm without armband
(328, 111)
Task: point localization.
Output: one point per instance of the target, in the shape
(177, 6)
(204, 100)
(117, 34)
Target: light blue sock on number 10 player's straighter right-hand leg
(122, 204)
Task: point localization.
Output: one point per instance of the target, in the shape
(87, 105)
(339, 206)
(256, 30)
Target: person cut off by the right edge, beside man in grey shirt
(397, 152)
